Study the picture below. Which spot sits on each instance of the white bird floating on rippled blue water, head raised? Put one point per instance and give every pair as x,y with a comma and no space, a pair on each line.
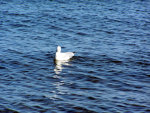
63,56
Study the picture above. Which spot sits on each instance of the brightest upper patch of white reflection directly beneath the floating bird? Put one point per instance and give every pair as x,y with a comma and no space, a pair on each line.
59,65
